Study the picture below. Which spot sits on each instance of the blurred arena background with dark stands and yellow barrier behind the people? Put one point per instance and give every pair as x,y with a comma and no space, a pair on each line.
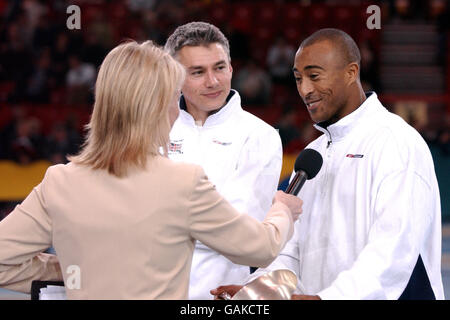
48,66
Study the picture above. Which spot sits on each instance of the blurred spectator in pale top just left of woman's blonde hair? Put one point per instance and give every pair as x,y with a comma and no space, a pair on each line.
80,81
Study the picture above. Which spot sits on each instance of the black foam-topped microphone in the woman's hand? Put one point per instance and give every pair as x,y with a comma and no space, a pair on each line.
307,165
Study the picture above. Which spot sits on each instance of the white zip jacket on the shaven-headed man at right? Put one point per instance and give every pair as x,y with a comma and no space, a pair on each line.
373,208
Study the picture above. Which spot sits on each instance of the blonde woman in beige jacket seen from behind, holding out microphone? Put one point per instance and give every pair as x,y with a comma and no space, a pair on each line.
122,214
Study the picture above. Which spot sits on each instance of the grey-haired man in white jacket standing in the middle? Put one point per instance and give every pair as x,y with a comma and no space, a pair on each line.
240,153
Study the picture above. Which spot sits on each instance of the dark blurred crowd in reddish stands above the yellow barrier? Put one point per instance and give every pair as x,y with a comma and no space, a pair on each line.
47,72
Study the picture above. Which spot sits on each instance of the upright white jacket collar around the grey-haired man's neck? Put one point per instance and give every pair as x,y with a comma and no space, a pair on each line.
233,103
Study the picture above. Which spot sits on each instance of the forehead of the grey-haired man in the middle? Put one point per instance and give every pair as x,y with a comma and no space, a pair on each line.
202,55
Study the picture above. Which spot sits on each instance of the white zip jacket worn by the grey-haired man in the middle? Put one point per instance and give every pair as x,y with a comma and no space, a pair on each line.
242,156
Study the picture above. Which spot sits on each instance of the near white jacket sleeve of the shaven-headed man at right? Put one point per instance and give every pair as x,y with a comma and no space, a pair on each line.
383,268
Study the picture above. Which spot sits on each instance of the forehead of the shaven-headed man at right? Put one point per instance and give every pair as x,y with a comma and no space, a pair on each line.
321,53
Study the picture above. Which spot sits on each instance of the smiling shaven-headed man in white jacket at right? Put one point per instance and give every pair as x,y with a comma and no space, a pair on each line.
371,227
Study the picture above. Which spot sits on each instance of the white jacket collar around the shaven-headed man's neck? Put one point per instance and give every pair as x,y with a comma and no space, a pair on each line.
341,128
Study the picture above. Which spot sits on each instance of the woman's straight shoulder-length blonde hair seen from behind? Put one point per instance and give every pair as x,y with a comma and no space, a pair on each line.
135,86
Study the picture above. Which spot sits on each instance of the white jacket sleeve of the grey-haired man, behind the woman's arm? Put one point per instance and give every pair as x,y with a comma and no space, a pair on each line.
253,184
